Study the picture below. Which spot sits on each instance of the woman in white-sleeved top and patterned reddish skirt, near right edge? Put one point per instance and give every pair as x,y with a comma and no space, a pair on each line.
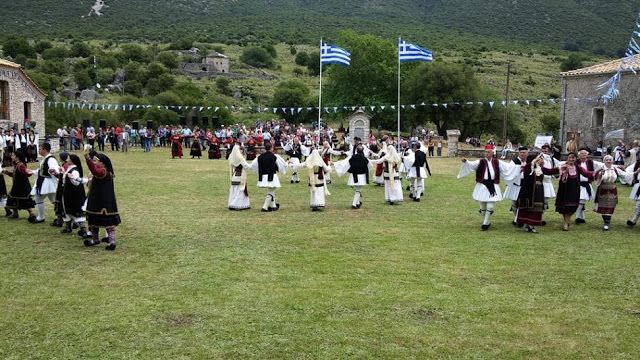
607,192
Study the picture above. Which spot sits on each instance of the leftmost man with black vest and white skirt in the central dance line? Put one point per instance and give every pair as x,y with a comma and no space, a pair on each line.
267,166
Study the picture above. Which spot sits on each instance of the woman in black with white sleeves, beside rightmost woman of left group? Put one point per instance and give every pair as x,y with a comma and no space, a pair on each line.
73,196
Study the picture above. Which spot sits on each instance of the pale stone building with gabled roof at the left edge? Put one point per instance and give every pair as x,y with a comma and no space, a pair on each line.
21,101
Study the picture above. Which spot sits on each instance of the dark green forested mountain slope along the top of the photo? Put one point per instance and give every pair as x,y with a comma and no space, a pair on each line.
594,26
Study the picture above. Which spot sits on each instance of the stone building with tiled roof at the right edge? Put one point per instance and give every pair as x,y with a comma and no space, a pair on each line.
587,118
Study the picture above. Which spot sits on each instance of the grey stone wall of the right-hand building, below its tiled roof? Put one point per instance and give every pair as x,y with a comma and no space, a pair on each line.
621,114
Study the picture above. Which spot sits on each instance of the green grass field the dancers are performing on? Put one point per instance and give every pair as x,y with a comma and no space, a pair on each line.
193,280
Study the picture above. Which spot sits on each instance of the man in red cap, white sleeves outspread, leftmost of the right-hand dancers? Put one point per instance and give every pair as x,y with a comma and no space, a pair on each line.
488,171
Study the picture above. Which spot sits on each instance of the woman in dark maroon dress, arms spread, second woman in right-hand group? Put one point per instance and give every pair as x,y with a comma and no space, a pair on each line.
568,196
